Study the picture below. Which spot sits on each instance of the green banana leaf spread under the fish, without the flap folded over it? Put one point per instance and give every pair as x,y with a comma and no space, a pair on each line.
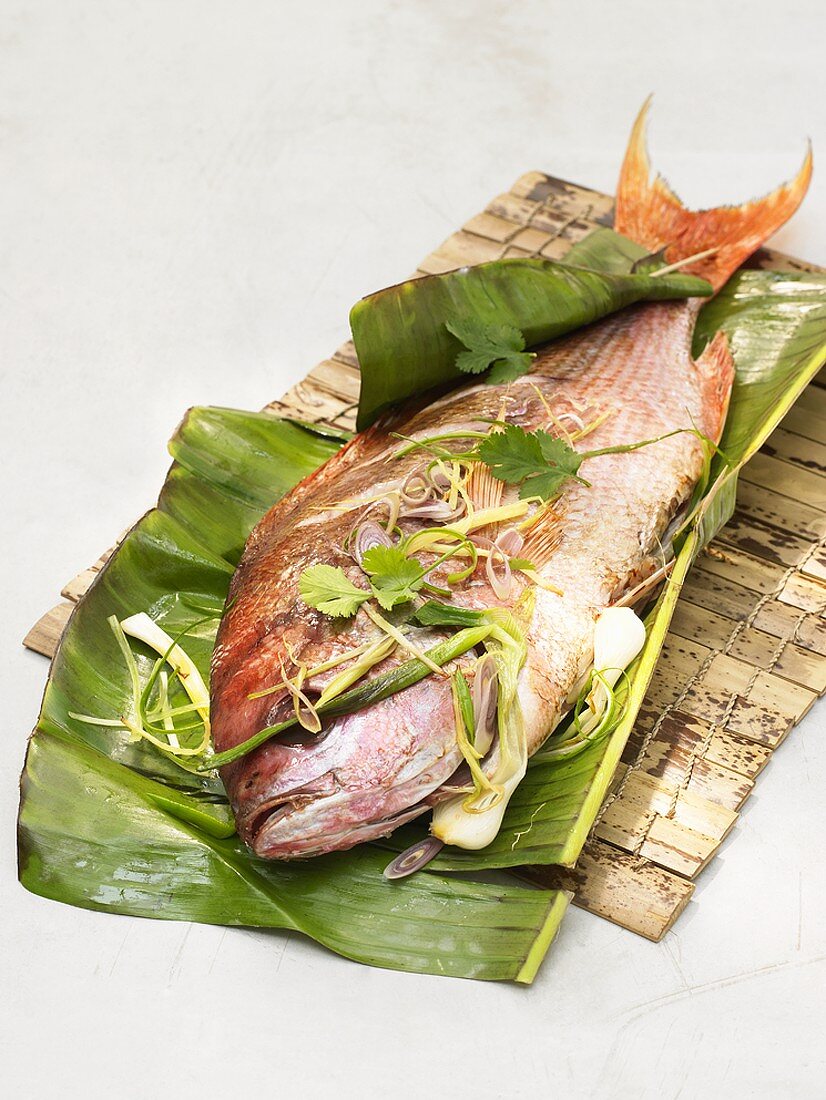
116,826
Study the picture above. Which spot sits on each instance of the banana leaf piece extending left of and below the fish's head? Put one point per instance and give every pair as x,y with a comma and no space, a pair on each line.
115,826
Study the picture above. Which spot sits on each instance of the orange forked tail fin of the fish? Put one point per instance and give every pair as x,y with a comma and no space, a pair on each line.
652,215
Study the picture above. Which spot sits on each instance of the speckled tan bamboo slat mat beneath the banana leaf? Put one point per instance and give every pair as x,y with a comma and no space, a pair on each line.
746,655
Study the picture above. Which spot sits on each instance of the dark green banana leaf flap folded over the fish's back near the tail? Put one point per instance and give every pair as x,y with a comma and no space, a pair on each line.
405,349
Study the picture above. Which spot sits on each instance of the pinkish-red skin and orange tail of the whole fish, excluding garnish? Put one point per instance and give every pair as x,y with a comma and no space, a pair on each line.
378,768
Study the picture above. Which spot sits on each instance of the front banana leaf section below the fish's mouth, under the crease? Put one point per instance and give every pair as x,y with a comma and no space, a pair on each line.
94,834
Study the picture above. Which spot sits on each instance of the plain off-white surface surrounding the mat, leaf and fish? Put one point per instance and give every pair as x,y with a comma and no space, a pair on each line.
193,194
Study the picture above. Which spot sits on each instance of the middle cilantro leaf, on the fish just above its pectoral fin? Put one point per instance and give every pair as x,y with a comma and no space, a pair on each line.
539,464
